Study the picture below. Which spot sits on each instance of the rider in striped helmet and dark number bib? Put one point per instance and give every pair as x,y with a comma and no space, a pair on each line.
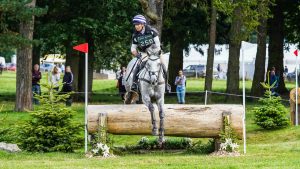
144,38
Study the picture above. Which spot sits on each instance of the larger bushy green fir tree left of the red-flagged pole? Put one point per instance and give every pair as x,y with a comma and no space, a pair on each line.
50,128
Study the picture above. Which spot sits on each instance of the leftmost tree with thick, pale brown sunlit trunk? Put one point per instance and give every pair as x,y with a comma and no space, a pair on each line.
21,13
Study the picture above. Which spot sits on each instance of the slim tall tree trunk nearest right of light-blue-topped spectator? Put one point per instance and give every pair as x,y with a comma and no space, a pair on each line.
211,51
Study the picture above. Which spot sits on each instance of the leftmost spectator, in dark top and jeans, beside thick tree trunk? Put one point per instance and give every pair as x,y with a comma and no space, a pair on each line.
36,77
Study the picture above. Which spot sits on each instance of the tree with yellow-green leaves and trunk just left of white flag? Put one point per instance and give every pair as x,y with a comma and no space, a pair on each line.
244,20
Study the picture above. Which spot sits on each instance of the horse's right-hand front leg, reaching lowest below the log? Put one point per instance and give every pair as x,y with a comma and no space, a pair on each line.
160,105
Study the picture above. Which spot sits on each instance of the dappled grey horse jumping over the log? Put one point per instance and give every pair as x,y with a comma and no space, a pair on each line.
151,85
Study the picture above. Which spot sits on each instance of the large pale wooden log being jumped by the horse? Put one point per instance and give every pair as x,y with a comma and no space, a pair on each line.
196,121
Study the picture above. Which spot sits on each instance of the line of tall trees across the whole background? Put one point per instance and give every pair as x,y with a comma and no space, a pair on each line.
36,28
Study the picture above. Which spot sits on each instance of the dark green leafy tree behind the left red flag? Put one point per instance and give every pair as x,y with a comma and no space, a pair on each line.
105,25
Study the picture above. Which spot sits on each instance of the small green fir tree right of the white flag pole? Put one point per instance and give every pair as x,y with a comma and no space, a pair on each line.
271,114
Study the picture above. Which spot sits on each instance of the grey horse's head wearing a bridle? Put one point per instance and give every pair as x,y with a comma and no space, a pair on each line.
153,67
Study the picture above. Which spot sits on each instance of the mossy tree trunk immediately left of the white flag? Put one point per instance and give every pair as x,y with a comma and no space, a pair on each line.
232,85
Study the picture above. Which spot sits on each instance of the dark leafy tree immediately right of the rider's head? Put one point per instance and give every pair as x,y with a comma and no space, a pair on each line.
185,23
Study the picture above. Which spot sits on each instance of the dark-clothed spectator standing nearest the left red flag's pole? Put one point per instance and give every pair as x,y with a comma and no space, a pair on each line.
67,86
